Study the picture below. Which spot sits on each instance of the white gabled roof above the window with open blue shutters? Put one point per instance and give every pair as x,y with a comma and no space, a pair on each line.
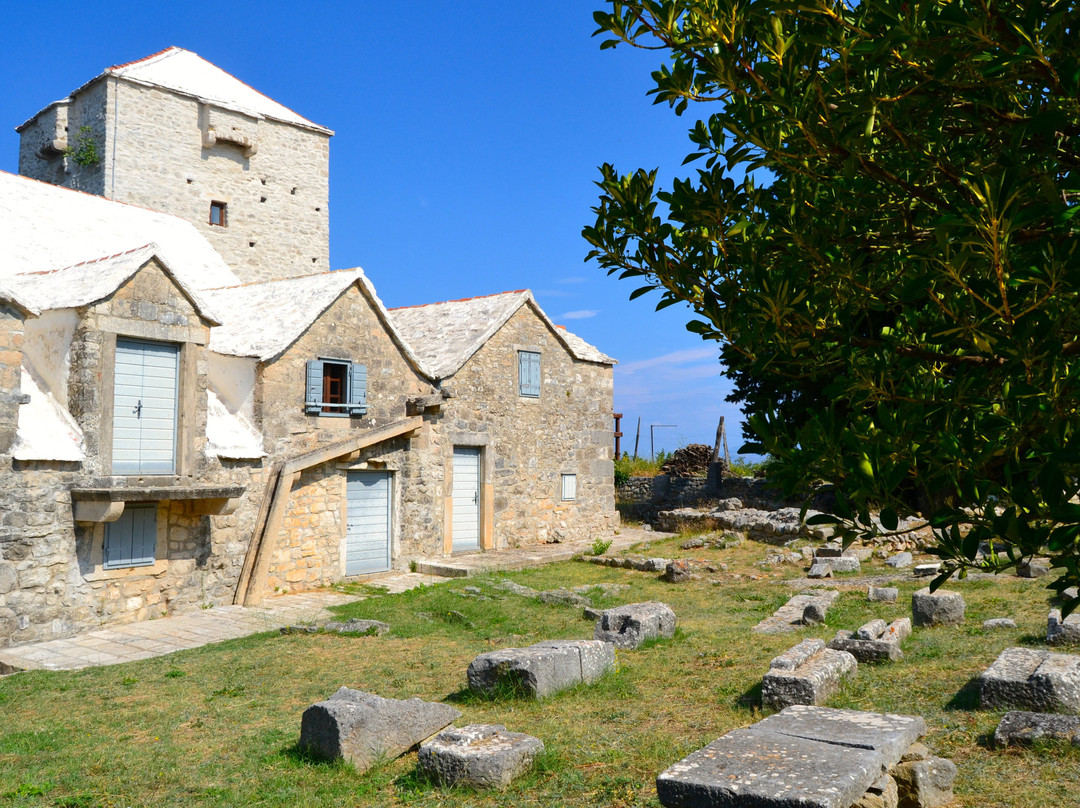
264,319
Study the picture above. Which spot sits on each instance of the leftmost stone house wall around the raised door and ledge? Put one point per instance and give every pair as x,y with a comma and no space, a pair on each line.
52,581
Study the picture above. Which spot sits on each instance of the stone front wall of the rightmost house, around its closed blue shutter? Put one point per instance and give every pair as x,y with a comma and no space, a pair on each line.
532,442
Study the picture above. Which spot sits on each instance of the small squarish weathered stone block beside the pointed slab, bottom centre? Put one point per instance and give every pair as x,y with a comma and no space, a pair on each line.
484,756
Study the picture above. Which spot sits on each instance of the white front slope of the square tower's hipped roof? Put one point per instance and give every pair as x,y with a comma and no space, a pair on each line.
188,73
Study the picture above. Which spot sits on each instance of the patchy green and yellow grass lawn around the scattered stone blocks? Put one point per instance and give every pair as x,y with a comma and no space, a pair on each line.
219,726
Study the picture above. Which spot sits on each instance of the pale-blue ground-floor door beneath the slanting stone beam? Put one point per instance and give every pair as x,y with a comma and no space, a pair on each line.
368,531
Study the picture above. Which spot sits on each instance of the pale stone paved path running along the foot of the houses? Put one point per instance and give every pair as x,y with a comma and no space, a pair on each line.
157,638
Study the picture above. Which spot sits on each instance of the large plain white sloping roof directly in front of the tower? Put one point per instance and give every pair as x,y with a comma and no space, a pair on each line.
45,227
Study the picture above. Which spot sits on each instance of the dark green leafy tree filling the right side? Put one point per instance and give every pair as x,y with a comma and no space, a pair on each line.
882,235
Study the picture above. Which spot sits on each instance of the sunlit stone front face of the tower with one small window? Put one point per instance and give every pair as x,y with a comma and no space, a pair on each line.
278,216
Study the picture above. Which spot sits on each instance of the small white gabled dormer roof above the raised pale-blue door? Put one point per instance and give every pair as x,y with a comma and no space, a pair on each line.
86,284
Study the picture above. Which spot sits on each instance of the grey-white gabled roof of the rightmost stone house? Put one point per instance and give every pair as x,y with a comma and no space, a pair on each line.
447,335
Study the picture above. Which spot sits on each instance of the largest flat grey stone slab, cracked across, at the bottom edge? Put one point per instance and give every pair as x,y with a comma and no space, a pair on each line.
803,758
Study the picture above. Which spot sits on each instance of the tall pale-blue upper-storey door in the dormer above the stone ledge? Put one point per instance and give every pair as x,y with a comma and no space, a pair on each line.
144,408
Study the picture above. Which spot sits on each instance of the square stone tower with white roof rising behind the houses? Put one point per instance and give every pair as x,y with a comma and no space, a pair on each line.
174,133
